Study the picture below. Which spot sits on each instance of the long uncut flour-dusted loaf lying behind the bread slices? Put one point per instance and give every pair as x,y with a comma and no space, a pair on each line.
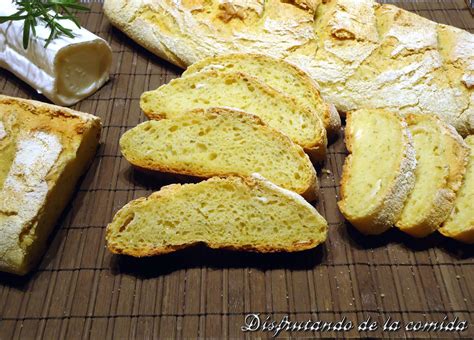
362,54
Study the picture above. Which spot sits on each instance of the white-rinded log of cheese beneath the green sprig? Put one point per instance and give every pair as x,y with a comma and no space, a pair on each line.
66,71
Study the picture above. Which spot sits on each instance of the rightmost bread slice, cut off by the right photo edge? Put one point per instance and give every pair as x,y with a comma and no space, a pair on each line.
460,224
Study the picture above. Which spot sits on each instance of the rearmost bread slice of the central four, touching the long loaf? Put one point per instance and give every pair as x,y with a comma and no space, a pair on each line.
280,75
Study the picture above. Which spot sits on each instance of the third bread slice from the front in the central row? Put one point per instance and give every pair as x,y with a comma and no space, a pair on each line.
240,91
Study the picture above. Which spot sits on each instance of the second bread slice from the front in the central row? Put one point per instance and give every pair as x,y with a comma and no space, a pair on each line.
220,142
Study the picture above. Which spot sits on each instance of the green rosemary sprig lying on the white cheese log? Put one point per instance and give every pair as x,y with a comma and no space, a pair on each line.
51,12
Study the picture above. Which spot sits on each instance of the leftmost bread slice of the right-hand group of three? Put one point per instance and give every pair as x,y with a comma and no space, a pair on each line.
378,174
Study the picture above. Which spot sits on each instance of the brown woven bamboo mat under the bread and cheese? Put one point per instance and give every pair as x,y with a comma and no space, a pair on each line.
82,291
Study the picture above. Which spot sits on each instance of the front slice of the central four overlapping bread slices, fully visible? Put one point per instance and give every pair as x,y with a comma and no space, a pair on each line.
242,214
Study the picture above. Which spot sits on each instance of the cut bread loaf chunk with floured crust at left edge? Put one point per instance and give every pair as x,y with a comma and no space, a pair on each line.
44,149
